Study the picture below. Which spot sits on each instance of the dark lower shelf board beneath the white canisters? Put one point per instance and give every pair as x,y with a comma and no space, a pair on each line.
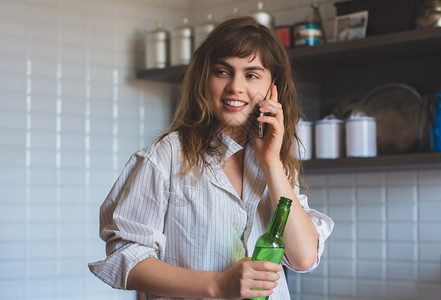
413,161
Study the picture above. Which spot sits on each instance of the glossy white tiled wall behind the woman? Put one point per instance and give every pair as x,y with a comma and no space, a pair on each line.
71,113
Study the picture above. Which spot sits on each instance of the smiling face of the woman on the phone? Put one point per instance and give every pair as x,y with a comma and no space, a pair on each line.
235,86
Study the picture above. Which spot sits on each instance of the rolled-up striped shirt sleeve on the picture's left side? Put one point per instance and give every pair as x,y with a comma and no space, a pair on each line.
132,220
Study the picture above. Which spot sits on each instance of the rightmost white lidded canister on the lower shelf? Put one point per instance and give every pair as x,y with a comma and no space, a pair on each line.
361,136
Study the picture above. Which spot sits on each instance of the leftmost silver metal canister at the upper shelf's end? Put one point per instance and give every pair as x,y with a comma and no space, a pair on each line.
157,48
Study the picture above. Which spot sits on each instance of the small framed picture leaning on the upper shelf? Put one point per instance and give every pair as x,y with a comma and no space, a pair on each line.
351,26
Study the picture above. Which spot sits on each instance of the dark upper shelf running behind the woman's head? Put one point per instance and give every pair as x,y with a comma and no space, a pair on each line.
398,45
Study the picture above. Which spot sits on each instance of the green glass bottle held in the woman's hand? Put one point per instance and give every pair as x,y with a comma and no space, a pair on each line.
270,245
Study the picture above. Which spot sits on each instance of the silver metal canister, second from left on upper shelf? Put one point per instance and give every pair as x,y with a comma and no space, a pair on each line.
181,44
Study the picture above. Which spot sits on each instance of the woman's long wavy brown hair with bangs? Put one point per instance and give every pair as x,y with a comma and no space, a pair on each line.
194,120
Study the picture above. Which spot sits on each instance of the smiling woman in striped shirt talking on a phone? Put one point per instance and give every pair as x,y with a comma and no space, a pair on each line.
185,213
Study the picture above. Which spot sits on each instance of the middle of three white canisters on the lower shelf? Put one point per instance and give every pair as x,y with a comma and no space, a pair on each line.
329,139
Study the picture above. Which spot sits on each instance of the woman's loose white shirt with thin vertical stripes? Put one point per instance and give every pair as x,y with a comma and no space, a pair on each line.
196,223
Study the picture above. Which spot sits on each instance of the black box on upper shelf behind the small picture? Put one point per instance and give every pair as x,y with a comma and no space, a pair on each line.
384,16
